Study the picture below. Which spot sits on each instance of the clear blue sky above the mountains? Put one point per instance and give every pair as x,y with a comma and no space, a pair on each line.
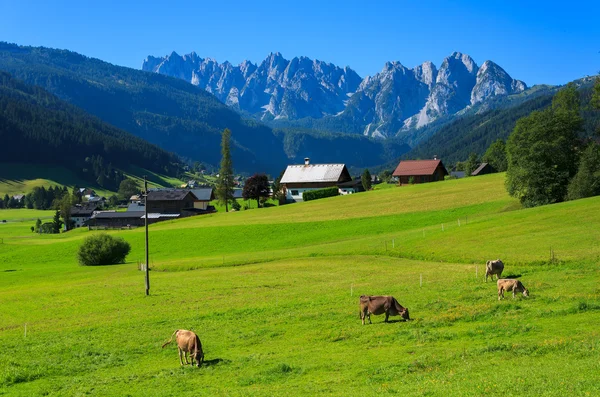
535,41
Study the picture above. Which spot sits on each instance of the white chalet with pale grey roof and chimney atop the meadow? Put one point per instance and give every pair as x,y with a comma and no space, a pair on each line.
300,178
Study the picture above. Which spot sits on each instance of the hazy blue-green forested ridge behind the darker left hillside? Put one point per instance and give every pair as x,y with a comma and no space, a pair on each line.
174,114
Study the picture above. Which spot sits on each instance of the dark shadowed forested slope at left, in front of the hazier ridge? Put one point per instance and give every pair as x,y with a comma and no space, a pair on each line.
38,128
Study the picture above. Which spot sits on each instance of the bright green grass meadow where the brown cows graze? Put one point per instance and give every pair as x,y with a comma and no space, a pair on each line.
273,294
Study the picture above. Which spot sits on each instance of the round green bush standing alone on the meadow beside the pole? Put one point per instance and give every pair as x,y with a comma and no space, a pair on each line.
103,249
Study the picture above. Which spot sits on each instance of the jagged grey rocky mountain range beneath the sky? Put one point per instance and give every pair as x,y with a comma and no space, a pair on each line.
391,103
